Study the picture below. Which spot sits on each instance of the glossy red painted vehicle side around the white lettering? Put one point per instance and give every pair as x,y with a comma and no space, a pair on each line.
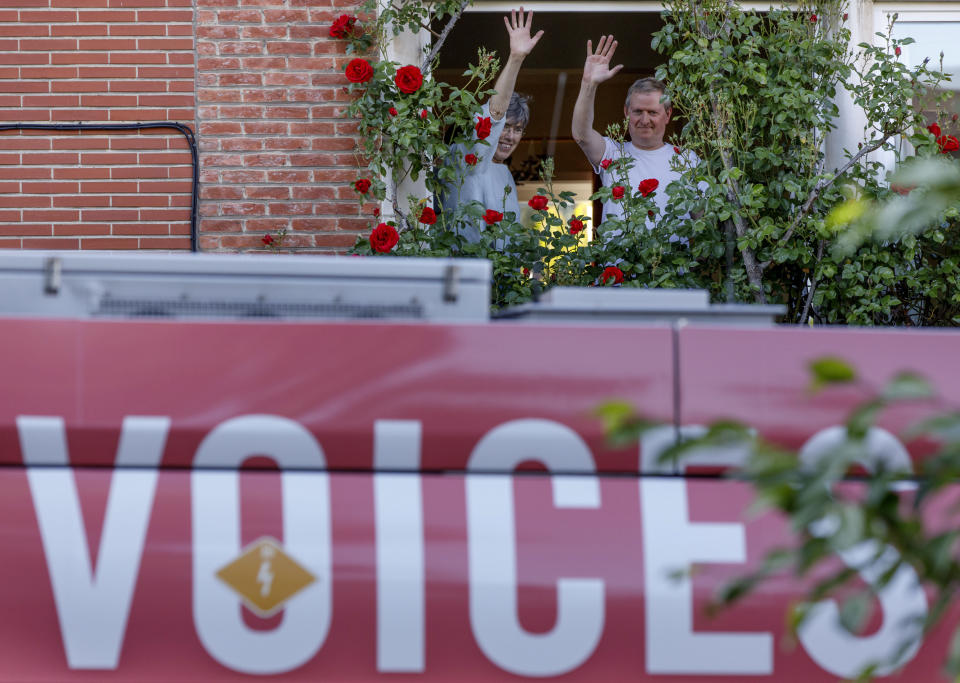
460,383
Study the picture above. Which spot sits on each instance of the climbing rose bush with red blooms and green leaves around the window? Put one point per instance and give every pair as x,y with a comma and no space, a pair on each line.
748,222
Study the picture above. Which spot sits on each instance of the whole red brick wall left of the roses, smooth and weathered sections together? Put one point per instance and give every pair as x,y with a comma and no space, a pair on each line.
259,80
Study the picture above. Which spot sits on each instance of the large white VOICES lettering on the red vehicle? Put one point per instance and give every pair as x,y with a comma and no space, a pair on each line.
93,608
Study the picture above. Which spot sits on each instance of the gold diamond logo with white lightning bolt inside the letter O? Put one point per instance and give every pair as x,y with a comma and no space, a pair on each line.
265,577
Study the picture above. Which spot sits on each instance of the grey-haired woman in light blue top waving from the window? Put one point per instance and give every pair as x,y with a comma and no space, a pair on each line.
488,179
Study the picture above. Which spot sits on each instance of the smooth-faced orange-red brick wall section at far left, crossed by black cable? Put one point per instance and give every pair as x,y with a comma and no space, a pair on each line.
95,61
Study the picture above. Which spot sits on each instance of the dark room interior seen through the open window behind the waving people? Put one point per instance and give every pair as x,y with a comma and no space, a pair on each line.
551,75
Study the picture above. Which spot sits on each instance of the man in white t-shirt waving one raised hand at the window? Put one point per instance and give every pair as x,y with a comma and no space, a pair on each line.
647,112
